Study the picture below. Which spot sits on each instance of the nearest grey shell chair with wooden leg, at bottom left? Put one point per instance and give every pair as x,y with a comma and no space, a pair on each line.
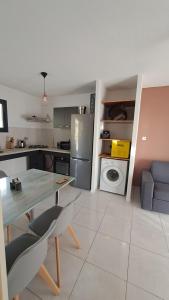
24,259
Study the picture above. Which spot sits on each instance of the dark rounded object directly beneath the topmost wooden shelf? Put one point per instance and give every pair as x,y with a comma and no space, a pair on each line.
117,112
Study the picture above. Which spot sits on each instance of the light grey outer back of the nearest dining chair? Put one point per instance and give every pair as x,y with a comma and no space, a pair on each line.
28,264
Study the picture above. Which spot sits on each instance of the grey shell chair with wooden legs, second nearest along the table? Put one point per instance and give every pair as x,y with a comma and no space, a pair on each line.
63,217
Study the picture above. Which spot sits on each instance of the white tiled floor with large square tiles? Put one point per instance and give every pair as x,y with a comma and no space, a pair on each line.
124,251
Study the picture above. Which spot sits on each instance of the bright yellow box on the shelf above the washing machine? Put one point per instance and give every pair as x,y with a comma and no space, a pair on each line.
120,148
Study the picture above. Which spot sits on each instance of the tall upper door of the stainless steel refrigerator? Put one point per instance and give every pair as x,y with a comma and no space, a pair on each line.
82,136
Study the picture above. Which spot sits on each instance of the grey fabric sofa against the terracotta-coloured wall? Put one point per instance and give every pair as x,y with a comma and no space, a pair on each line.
155,187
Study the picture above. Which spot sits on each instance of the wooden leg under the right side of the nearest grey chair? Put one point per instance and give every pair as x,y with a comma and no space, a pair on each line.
44,274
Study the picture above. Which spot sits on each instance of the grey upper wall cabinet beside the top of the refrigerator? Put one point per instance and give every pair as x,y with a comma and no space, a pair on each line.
62,116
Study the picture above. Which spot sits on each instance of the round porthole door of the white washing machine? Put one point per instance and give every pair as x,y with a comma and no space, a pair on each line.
112,176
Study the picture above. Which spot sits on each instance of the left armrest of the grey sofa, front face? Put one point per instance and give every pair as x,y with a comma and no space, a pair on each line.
147,189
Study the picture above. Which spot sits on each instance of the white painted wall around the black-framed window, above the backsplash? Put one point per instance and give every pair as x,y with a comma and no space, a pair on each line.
19,104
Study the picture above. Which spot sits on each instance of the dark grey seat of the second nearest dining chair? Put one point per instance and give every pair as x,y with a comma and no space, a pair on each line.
42,223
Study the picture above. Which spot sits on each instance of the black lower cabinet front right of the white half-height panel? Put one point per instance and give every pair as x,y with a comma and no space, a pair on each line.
36,160
